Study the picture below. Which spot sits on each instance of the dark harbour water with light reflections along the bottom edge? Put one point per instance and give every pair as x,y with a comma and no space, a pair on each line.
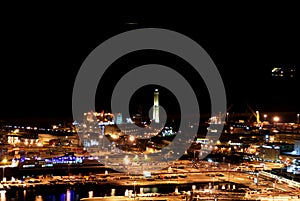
75,193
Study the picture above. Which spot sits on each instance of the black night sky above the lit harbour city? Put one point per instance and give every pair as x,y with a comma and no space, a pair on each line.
43,49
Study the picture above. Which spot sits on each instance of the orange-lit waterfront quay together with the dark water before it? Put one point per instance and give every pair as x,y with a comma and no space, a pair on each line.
224,181
